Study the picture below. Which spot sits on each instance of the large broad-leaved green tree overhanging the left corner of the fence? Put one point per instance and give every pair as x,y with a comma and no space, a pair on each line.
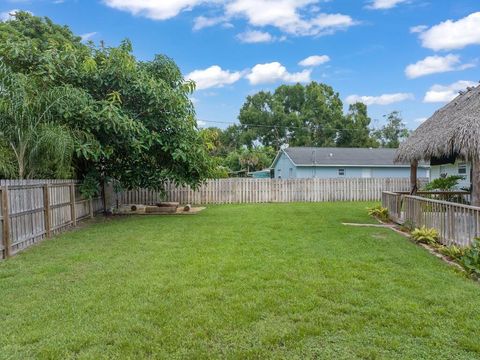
130,120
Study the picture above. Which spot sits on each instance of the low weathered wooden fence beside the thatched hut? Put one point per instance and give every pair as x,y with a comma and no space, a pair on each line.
457,224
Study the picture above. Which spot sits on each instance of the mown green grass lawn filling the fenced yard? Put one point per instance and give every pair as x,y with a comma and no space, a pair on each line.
246,281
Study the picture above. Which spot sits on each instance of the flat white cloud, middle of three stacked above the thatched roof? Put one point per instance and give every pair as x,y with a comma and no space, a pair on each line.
436,64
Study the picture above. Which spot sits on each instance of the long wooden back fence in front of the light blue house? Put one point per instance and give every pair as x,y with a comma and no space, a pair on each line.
237,190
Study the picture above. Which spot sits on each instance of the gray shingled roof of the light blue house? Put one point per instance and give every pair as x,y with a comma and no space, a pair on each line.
328,156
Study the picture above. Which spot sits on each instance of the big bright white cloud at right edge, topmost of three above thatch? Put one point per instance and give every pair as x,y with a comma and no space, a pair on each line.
451,34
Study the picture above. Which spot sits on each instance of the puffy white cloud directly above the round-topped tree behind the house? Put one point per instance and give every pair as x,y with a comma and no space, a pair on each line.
273,72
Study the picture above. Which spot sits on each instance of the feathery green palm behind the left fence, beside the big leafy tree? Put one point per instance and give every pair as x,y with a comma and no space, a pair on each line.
33,145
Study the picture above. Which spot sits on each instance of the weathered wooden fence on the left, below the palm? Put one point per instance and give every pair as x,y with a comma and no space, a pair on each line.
33,210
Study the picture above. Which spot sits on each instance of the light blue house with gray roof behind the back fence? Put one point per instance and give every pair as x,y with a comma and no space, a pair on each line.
310,162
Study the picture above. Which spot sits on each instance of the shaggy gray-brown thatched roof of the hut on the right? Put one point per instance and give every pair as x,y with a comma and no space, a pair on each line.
452,130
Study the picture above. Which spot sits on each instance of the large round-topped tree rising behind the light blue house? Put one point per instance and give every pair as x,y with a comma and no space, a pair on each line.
304,115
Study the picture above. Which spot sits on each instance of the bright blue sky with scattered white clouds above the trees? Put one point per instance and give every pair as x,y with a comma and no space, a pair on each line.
406,55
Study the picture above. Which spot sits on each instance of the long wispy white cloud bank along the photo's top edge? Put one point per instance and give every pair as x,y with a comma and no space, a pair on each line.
286,15
